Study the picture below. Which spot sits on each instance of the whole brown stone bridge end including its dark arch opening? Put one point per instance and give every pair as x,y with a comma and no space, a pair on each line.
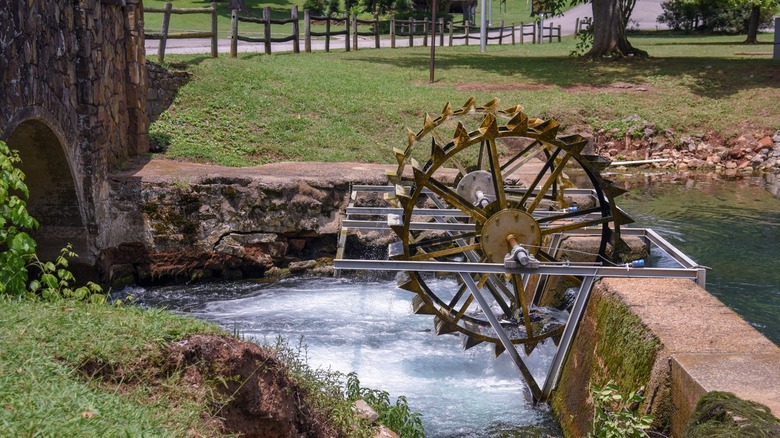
73,98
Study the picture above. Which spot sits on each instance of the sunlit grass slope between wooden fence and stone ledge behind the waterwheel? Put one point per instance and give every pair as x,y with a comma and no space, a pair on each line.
355,106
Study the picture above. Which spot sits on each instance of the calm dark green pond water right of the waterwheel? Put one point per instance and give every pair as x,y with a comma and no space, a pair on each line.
731,224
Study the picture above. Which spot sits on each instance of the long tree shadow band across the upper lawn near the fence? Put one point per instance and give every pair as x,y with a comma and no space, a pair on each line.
704,76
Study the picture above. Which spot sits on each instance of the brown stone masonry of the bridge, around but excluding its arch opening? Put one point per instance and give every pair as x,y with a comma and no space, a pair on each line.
78,66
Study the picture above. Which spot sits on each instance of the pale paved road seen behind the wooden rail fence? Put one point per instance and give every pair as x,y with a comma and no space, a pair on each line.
645,14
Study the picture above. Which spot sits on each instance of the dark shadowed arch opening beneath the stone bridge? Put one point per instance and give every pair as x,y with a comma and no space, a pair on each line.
56,195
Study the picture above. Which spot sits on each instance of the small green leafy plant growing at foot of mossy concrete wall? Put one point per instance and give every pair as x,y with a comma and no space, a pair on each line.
615,415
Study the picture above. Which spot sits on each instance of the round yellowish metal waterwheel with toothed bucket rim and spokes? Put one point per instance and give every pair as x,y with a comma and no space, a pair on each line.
500,191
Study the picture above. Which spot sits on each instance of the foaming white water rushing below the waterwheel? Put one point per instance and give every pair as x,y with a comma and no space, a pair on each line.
369,328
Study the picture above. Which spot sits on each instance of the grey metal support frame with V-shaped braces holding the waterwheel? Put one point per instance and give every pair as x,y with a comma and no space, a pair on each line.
444,220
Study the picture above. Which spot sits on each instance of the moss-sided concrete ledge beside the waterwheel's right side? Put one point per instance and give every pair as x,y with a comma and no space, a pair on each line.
694,342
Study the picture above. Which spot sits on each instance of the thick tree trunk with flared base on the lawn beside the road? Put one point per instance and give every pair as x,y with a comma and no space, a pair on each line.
609,32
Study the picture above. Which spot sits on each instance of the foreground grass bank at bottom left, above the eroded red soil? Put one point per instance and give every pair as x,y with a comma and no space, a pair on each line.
43,393
